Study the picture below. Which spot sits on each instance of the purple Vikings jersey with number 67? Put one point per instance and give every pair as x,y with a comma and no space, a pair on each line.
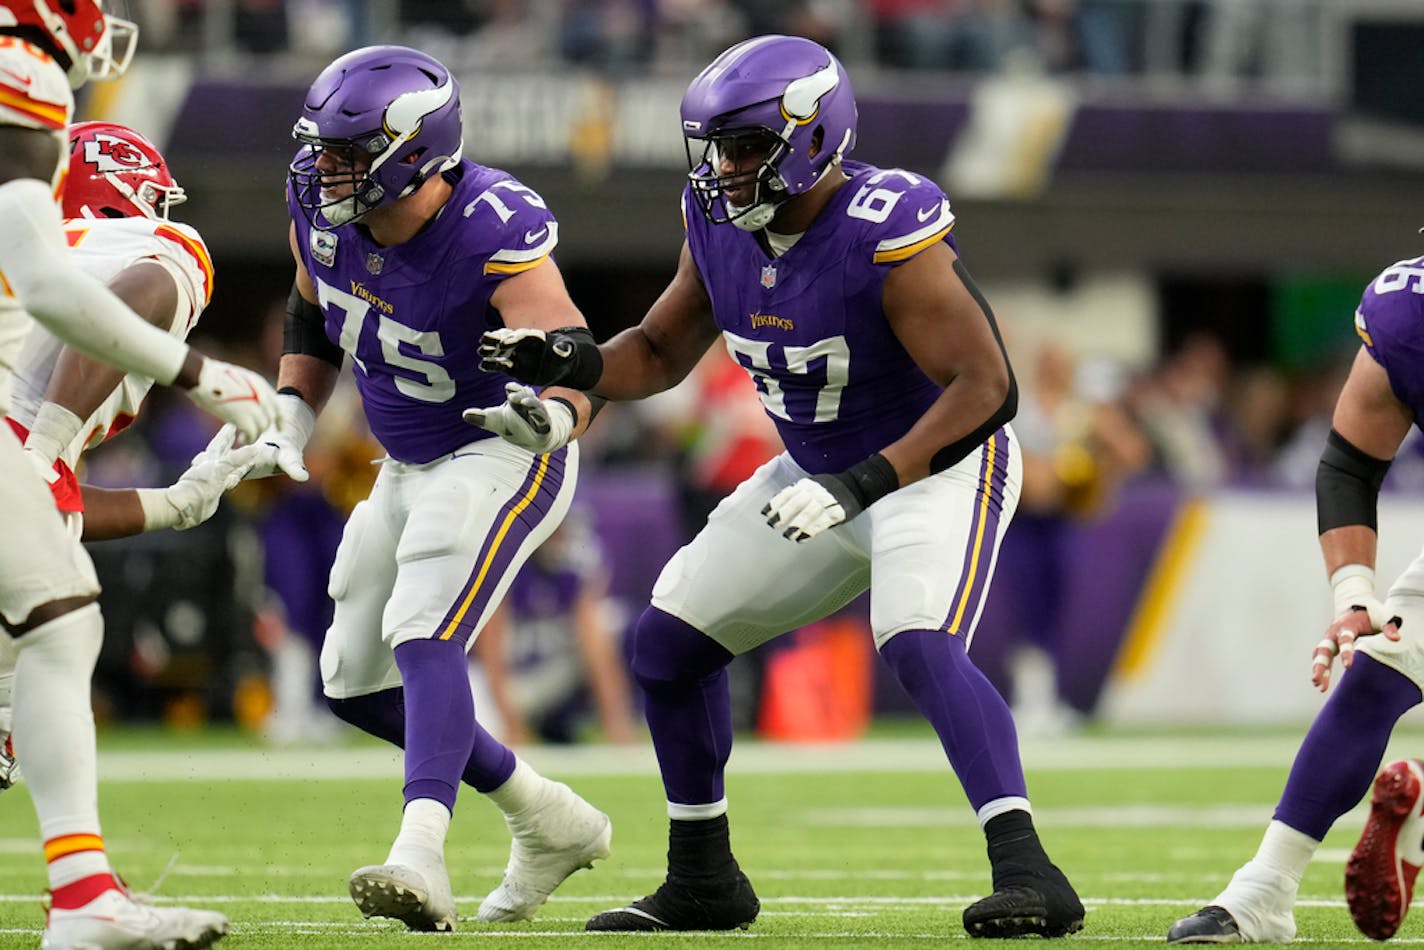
810,325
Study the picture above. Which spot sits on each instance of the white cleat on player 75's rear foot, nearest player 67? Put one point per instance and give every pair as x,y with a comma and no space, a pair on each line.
553,838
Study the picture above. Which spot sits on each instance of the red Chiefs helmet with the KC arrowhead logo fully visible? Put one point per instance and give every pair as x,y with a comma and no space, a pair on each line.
116,173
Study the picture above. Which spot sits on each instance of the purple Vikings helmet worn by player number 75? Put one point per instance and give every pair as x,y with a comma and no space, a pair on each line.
391,112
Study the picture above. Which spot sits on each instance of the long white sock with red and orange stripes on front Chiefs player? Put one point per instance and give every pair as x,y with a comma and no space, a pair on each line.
55,740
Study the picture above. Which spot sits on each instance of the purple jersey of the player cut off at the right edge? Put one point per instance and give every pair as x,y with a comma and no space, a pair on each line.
1391,321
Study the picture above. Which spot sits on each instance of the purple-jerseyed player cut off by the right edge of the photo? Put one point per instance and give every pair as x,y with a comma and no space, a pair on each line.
1376,409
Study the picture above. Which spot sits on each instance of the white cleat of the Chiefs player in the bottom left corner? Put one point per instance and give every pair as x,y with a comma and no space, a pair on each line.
116,922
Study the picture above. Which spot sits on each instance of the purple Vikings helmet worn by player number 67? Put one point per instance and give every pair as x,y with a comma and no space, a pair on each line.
784,89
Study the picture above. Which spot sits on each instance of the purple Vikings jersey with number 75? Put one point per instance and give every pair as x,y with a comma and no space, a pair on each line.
411,317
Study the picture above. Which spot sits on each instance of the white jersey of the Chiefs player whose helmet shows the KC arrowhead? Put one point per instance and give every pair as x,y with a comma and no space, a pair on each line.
105,247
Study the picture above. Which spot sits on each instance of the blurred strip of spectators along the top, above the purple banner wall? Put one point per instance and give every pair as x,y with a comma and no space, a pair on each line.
1271,41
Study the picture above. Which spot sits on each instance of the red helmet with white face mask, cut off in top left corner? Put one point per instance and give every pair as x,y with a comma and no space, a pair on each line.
88,42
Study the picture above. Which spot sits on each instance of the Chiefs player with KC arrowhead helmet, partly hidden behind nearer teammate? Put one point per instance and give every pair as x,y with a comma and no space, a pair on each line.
116,203
